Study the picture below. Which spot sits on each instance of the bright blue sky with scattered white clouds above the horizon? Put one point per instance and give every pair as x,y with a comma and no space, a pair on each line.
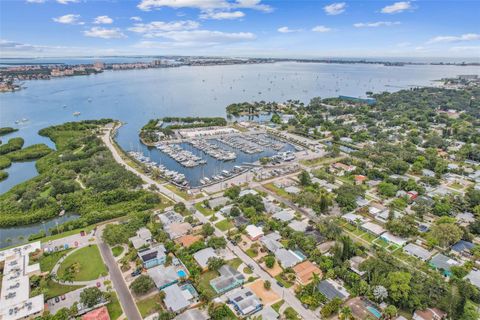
240,28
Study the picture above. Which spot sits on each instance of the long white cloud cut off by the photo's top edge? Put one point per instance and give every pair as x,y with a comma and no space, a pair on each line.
203,5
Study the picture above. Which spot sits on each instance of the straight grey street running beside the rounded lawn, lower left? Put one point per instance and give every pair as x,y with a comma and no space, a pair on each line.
126,300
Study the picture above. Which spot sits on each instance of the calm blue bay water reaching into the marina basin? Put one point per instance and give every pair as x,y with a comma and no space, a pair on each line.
136,96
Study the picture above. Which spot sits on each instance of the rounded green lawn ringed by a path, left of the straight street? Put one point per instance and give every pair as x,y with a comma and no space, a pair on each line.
90,264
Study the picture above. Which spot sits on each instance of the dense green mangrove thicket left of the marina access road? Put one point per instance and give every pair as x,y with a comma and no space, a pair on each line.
110,190
